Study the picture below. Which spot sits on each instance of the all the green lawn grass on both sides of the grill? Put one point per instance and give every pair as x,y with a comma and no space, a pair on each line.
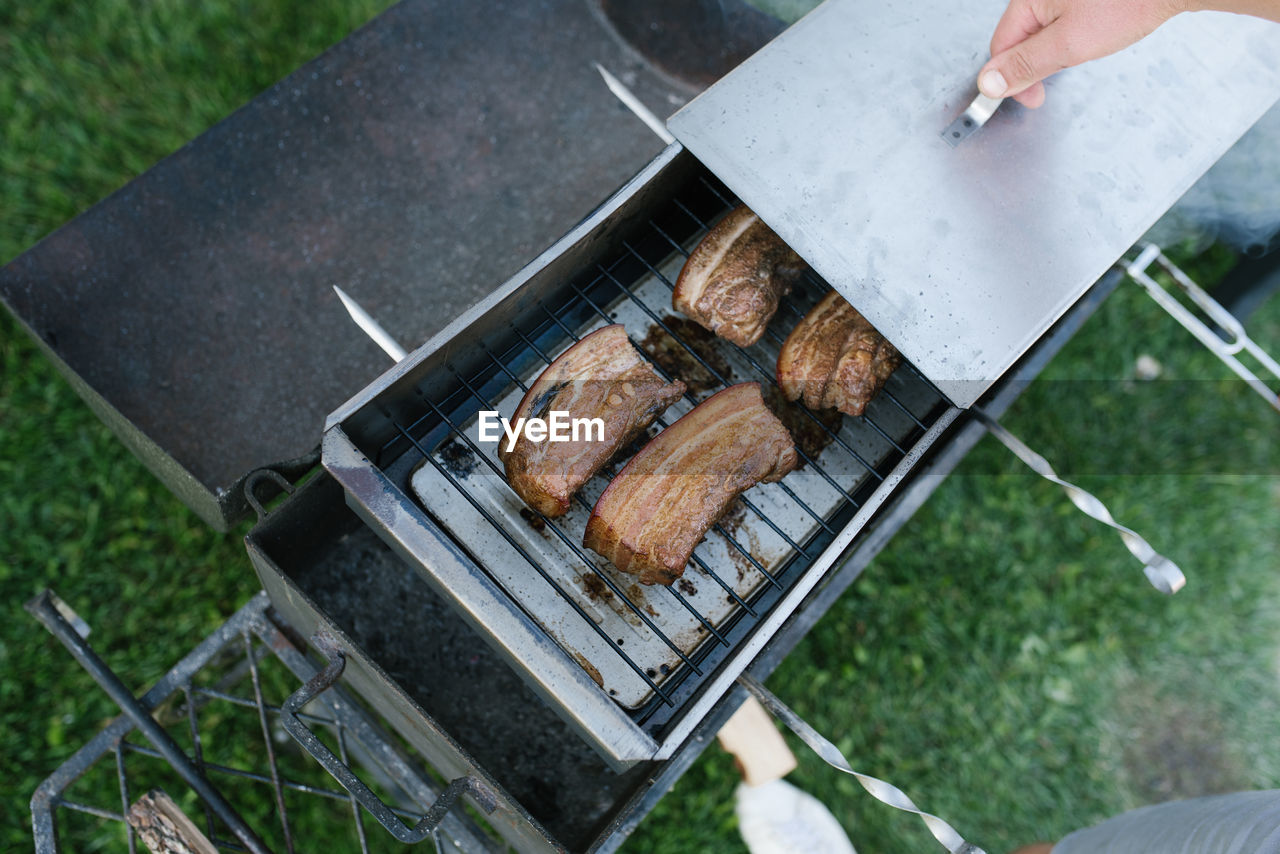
1004,661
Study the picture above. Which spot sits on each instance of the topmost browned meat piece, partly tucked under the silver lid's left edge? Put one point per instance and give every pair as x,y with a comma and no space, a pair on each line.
734,280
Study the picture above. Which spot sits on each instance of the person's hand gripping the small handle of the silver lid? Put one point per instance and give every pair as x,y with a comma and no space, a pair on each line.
1039,38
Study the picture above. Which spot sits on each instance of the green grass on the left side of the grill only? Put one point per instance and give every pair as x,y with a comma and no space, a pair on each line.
90,97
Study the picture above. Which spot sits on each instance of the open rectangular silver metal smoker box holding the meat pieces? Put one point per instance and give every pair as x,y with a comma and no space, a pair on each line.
632,669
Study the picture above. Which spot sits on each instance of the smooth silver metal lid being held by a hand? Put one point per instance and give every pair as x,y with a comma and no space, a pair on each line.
964,257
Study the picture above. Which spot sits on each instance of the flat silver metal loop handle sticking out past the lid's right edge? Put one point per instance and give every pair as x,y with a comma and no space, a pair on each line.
1222,348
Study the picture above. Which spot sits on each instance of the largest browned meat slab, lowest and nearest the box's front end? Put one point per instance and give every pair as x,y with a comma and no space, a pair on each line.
662,504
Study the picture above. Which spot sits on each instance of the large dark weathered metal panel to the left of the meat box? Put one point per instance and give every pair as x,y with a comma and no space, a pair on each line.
418,166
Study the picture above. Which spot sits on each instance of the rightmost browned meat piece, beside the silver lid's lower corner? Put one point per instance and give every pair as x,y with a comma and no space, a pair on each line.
835,359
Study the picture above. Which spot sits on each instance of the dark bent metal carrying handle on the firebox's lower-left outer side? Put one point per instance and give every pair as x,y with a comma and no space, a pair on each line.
346,778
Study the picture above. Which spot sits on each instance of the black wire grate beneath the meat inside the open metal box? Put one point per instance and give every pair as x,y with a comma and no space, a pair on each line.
849,462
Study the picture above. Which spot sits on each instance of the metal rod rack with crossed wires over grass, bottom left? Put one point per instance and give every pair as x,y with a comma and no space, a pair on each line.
222,704
